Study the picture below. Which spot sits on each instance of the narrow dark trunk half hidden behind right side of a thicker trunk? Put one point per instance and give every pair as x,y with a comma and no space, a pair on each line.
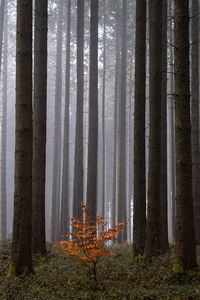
164,202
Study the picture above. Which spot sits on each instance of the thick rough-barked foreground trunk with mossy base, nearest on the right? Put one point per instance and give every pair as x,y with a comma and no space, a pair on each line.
185,235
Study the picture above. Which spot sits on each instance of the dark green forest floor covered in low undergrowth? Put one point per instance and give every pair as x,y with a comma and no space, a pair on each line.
119,277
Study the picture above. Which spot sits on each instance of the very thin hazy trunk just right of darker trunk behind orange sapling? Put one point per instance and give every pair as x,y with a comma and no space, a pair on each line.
103,118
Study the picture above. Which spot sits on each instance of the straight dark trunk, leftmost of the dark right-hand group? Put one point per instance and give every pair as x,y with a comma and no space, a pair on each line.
139,130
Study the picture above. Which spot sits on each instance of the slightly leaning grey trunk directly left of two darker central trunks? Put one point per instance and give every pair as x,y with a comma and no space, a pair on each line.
65,198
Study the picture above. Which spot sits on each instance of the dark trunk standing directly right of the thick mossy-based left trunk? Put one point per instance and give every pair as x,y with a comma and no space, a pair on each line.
39,127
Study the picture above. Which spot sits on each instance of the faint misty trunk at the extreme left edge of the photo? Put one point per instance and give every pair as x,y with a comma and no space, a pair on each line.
3,232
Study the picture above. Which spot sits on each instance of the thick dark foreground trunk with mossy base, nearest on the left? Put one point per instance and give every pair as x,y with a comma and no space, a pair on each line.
21,257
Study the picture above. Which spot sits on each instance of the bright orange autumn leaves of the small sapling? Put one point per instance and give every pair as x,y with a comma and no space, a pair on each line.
88,239
